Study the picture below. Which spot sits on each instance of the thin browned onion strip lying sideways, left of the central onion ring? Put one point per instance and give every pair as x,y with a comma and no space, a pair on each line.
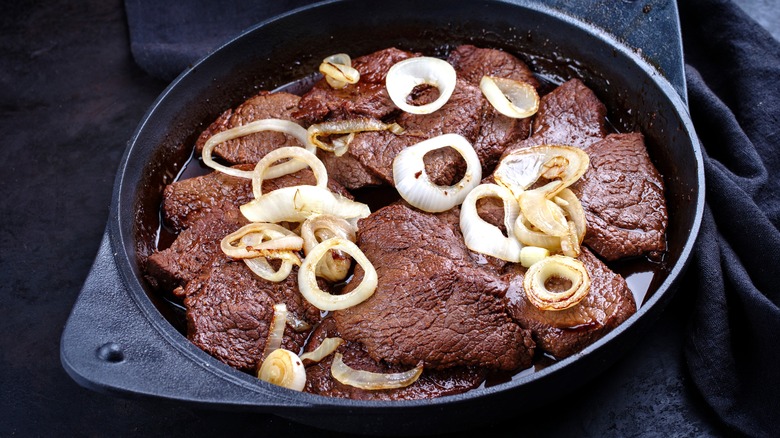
345,128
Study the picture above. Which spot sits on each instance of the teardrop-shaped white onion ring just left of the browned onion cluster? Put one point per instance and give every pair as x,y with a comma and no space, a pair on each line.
483,237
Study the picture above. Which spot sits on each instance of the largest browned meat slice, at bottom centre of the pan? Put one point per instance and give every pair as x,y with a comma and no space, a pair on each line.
433,303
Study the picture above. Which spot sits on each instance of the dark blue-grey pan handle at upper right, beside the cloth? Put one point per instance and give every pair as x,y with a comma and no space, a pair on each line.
651,27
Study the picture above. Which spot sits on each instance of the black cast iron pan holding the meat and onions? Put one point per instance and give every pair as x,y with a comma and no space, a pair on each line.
118,338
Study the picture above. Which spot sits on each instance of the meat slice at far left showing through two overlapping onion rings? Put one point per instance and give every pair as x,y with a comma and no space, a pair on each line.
186,200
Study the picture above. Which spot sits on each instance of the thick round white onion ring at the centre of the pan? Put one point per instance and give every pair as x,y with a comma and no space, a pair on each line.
414,185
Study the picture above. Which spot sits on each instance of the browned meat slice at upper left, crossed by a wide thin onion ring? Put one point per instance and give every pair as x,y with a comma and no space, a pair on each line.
251,148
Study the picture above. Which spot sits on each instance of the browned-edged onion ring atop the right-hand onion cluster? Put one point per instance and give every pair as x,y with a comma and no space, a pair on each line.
520,169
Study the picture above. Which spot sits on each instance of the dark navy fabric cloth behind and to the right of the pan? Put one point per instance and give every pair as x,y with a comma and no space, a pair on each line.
733,77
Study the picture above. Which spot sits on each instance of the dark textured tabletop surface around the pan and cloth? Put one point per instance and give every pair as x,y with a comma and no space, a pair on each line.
71,96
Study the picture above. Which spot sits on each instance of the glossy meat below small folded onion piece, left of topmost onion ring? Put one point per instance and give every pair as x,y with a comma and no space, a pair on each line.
367,98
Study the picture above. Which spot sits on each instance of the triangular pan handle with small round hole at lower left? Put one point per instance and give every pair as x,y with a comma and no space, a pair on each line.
109,345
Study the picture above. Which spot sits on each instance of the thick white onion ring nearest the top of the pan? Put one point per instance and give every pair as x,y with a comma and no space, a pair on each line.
405,75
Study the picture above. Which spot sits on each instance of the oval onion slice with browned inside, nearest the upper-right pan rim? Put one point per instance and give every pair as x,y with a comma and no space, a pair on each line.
512,98
